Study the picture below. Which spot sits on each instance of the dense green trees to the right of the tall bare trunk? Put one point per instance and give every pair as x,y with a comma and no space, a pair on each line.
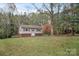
68,20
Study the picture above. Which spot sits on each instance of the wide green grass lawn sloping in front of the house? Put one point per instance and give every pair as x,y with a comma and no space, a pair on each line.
44,46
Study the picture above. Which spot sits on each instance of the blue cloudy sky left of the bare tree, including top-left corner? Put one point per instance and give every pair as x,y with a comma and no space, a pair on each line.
23,7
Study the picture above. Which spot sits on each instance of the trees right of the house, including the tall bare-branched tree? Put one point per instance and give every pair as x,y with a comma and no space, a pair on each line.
64,17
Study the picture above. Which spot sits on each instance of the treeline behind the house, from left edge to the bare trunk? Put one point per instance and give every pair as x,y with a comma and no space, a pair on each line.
10,22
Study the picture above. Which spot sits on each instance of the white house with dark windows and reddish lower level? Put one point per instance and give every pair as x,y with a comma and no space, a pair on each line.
30,30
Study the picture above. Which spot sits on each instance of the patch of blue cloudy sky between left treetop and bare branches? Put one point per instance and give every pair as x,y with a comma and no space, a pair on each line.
28,7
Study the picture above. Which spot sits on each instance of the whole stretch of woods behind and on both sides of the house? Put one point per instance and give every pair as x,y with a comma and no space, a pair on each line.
64,18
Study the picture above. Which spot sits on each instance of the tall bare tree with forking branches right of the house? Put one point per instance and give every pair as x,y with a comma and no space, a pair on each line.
50,10
